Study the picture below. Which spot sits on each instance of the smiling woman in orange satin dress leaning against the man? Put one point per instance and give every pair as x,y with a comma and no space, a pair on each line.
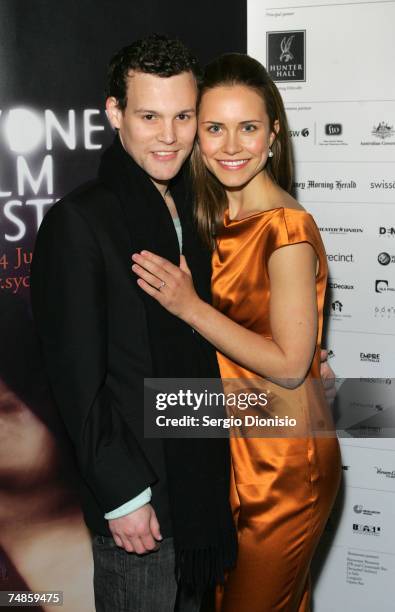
268,284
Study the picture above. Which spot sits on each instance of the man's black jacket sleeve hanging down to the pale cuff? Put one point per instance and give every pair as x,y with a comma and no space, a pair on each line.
68,291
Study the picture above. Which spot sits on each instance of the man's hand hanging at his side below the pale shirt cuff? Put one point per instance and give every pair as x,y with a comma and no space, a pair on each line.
138,531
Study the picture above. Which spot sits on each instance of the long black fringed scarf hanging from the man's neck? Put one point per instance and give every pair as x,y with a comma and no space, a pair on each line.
197,469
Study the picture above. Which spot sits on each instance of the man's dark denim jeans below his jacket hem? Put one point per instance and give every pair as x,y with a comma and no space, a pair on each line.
127,582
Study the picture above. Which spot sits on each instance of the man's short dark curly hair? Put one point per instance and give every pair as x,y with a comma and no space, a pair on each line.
156,54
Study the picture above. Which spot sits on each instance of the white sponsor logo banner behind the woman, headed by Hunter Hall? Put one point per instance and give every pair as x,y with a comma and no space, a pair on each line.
333,64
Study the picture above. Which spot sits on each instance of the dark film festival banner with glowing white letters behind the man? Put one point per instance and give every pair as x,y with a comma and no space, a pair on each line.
53,128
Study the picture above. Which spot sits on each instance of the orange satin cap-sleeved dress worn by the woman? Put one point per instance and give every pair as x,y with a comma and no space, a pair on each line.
282,488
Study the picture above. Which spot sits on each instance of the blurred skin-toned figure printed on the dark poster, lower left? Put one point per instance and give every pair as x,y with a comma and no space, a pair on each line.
44,543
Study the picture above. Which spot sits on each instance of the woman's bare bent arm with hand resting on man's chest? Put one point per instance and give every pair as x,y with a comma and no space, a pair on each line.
293,312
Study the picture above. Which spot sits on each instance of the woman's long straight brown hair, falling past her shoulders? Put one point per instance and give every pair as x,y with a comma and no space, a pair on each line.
210,196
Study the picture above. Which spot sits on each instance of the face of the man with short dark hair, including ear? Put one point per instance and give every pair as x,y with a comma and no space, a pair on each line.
158,126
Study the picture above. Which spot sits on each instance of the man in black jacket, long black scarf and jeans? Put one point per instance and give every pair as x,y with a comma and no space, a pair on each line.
102,336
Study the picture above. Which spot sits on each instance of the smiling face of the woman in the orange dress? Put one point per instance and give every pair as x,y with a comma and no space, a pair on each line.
234,134
